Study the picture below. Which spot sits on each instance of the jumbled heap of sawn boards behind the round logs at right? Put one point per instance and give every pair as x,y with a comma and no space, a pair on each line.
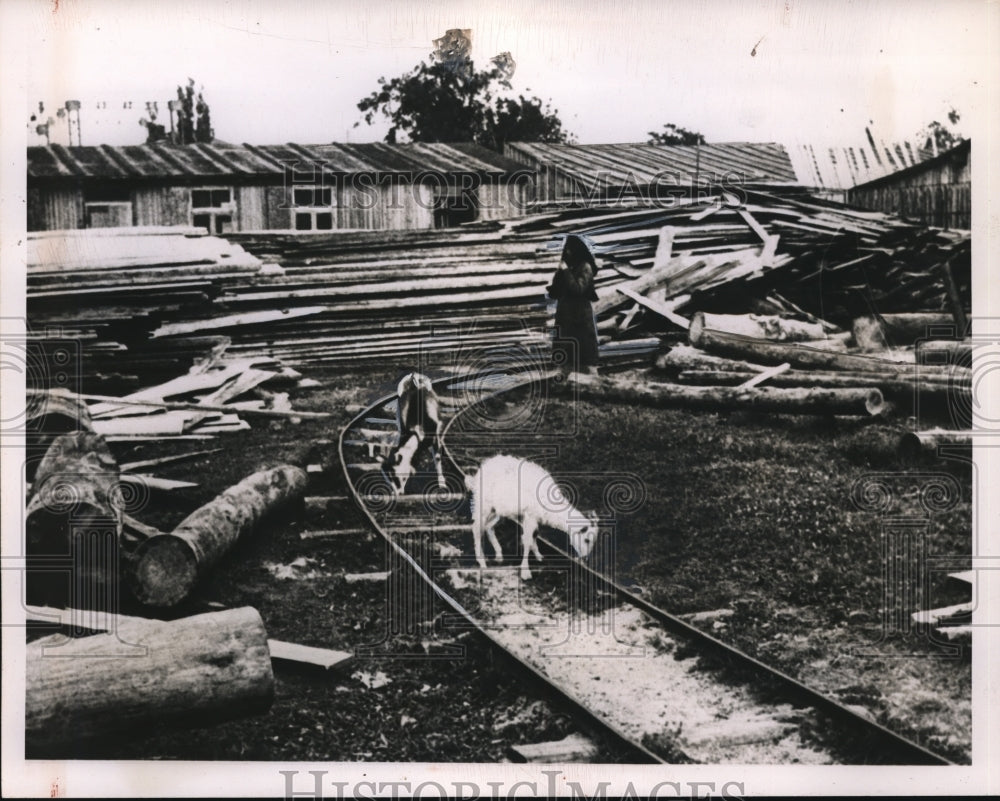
772,254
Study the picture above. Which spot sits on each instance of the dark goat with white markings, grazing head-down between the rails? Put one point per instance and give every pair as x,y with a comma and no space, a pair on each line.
418,418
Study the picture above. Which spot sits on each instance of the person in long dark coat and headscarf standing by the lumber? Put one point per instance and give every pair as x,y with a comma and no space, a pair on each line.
572,287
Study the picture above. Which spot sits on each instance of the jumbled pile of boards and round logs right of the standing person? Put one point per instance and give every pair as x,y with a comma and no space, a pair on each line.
789,304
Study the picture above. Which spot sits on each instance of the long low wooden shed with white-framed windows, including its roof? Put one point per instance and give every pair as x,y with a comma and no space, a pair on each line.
272,187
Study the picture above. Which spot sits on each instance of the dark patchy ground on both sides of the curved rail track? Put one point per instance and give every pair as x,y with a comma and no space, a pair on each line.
785,523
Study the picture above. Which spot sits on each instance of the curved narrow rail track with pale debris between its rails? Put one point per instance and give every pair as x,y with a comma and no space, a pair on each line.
650,686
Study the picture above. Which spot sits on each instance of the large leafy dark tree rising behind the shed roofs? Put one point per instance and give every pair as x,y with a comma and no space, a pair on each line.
449,100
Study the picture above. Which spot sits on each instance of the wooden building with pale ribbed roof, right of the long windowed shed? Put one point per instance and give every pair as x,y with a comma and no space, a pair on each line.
586,173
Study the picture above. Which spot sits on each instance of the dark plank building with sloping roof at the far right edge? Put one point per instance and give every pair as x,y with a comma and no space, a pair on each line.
935,192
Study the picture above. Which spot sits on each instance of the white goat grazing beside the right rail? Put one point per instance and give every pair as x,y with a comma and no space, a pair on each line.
505,486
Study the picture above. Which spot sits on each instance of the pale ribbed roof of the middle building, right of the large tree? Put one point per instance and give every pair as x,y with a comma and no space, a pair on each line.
621,164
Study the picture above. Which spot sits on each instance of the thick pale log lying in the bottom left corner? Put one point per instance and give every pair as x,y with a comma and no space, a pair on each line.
192,671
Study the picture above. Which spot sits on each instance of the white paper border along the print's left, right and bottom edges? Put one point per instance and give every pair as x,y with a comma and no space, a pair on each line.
18,30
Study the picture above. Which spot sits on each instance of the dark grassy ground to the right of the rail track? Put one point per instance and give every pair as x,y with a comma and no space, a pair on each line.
794,526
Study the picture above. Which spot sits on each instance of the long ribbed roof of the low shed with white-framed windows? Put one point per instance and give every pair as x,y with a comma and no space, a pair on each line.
217,160
